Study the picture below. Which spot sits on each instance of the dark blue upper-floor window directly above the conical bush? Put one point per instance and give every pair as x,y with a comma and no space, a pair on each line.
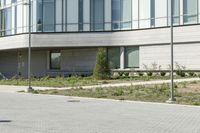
97,15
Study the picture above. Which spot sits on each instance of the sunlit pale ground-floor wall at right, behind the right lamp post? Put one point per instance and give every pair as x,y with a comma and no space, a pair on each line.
187,55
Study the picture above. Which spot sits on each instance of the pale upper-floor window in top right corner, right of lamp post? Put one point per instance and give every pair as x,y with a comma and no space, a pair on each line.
190,11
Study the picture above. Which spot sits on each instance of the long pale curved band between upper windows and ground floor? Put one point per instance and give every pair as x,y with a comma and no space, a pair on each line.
94,39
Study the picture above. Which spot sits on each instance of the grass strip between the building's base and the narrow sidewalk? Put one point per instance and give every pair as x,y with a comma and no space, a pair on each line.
76,81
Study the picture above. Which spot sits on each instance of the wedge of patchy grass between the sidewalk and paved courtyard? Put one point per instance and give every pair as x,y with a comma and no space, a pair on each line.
147,93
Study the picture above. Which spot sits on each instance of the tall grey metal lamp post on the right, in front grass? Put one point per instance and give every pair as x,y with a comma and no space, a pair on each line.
172,98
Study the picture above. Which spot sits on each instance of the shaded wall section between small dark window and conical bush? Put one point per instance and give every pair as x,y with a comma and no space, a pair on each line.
78,59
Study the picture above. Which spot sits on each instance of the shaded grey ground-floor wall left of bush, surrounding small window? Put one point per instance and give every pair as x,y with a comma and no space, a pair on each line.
72,60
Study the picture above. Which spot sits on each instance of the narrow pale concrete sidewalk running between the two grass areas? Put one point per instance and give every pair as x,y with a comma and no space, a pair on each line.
8,88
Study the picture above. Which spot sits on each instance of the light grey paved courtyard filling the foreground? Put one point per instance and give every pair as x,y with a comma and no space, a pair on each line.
27,113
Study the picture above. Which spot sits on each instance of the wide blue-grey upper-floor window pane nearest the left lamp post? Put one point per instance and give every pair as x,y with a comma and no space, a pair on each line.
48,15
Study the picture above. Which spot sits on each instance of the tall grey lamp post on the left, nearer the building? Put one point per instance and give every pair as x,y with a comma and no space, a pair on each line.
29,89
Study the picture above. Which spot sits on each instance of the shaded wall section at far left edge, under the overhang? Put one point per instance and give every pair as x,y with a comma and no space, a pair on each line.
8,63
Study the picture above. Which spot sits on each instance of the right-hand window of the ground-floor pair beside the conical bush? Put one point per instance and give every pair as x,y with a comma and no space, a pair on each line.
132,57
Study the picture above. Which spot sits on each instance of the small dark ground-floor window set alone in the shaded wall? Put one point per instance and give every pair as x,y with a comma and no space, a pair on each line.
55,58
